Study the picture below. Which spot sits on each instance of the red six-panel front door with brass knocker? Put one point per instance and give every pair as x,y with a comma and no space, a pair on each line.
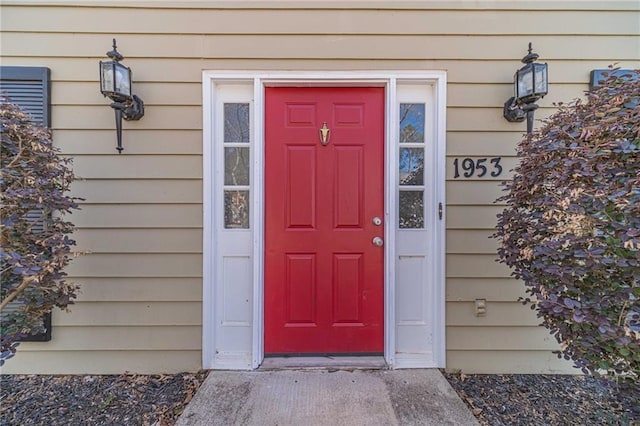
324,277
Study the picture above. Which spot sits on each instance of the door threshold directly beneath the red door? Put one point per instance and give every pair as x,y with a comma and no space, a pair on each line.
325,362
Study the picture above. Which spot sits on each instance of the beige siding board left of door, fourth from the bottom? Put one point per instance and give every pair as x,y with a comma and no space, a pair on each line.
156,289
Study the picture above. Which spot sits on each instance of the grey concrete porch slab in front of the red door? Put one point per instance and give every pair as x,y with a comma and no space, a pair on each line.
326,397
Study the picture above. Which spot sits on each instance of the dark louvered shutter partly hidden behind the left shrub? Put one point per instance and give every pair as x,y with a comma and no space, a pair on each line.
28,87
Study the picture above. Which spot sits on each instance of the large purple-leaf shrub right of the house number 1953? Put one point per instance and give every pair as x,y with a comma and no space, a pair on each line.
571,227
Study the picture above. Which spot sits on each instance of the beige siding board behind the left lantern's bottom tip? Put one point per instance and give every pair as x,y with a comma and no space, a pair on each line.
139,141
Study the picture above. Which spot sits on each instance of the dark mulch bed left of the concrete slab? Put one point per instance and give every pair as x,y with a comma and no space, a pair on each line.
128,399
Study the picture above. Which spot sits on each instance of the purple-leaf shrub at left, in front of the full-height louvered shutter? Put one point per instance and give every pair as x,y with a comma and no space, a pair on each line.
35,239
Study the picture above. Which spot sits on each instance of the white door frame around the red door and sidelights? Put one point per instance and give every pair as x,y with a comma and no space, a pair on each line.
261,79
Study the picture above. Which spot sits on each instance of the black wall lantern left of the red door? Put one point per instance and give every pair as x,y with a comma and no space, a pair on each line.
115,83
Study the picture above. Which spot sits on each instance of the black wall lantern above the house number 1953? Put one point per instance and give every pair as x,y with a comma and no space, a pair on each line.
530,83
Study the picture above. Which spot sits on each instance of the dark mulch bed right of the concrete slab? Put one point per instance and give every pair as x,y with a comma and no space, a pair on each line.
519,399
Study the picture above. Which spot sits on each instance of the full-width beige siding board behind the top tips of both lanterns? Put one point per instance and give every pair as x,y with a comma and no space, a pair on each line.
324,46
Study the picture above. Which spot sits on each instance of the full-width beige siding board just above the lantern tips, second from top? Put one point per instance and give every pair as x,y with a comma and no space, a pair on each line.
109,21
